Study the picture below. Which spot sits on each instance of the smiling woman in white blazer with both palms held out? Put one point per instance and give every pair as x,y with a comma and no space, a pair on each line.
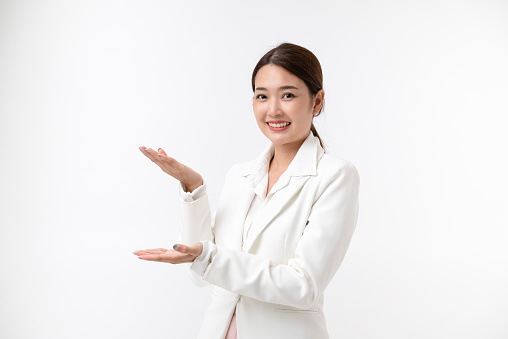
284,220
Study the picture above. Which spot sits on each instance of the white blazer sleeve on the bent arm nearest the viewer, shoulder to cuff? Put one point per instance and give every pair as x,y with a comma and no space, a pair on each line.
318,255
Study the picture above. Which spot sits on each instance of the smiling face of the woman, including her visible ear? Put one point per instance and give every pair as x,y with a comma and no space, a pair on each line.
283,106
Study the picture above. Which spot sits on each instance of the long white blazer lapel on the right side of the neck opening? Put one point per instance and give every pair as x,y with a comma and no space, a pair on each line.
273,208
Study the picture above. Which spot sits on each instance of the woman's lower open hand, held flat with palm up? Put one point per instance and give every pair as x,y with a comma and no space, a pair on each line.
178,255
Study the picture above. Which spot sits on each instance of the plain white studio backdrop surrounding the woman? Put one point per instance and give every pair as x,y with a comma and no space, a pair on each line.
416,93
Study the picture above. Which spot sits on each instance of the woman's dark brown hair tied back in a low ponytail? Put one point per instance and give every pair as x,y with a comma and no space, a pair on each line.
300,62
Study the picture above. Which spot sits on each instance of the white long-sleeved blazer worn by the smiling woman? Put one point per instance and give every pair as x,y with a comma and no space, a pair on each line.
277,277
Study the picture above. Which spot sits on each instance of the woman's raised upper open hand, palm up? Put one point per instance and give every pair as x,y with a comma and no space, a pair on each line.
186,175
